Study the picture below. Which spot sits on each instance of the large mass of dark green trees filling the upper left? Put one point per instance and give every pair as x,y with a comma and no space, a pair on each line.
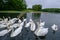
12,5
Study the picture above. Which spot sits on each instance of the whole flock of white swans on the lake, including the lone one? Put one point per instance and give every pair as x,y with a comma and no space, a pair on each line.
18,23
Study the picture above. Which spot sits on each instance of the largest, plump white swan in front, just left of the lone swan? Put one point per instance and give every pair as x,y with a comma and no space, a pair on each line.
41,31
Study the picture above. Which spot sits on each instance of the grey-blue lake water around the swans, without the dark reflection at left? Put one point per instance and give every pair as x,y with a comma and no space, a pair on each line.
49,18
